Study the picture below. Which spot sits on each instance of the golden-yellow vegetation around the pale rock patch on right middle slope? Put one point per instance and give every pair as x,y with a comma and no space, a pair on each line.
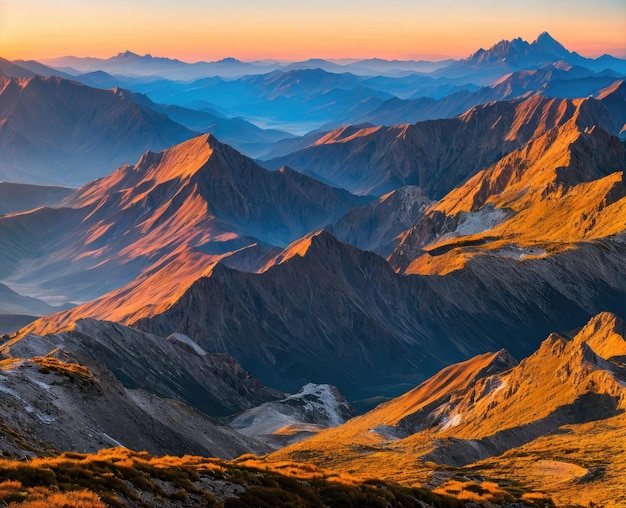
547,214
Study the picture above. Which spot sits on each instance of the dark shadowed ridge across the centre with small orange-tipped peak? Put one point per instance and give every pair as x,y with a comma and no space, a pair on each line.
331,312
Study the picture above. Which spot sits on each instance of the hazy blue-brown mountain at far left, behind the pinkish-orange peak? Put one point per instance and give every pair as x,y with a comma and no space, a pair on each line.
59,131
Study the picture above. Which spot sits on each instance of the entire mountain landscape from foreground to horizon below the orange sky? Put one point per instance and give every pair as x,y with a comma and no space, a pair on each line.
350,316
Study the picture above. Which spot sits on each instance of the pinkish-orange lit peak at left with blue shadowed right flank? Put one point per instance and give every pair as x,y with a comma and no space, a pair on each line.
168,218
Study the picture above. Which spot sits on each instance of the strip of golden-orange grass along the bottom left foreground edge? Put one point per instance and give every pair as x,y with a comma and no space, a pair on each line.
119,477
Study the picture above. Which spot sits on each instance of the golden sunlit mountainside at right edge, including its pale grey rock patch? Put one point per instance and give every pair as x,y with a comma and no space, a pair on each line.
563,187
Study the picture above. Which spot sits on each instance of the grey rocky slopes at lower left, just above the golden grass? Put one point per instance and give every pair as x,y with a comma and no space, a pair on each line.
102,385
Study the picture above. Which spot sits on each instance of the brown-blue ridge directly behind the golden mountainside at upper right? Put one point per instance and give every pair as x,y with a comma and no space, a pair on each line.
438,155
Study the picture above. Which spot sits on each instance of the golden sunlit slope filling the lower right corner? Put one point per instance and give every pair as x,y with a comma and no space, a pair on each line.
479,411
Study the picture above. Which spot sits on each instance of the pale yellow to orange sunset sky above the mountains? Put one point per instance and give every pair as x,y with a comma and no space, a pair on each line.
194,30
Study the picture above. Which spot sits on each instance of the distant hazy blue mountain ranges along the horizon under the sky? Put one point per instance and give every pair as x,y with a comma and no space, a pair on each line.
312,95
